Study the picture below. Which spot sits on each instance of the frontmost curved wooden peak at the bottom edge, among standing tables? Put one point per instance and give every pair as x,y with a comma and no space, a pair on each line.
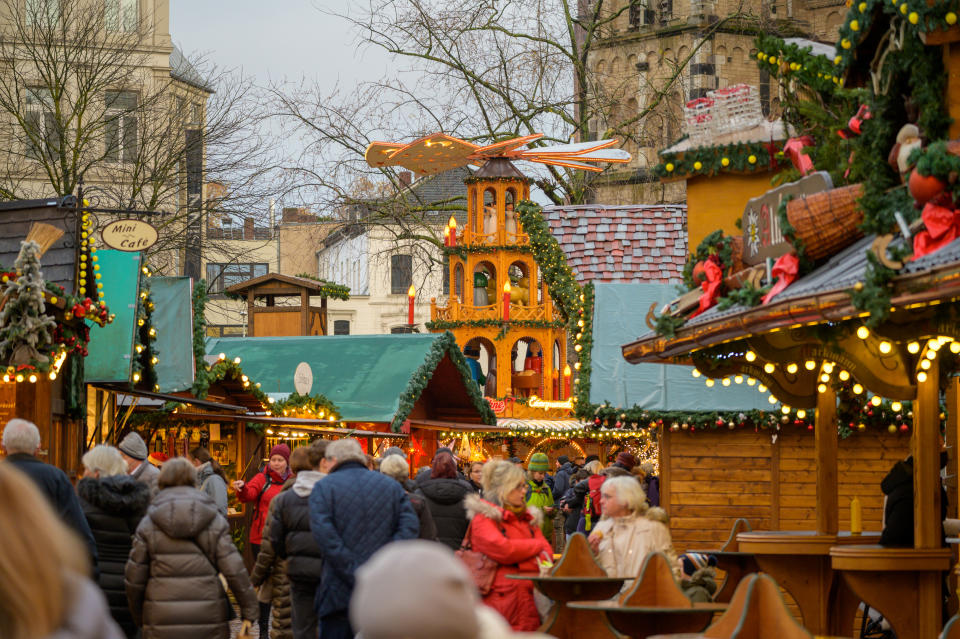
757,611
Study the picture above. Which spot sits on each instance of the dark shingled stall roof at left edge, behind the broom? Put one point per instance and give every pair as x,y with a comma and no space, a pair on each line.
16,218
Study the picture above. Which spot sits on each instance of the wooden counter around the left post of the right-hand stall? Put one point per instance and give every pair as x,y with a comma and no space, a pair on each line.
800,562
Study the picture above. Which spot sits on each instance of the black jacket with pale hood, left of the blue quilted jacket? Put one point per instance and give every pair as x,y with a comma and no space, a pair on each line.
290,529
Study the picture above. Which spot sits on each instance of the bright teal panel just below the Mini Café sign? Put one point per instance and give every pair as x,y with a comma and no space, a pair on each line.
110,346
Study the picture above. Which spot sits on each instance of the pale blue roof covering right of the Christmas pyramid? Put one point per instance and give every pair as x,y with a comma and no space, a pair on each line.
618,318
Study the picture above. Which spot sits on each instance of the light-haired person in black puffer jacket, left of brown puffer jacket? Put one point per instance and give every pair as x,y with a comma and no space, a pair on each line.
113,504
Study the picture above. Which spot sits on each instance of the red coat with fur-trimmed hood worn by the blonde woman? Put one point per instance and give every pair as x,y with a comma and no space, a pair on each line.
515,542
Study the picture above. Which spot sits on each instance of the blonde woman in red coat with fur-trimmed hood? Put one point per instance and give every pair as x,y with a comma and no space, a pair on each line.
505,530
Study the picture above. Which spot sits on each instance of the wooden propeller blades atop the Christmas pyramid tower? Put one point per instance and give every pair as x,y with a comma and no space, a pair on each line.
440,152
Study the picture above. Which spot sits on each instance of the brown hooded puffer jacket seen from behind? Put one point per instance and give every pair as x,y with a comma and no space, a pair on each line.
171,577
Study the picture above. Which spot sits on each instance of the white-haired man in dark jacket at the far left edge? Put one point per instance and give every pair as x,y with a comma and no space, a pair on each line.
21,442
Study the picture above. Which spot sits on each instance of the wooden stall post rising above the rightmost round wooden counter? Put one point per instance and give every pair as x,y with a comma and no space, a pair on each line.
925,445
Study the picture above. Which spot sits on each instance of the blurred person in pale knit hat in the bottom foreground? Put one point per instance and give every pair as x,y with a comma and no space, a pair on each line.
405,578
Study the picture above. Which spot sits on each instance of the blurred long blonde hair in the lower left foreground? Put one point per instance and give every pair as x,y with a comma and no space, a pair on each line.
36,553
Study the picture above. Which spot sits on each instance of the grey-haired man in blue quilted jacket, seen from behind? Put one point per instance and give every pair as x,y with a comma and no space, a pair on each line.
353,513
